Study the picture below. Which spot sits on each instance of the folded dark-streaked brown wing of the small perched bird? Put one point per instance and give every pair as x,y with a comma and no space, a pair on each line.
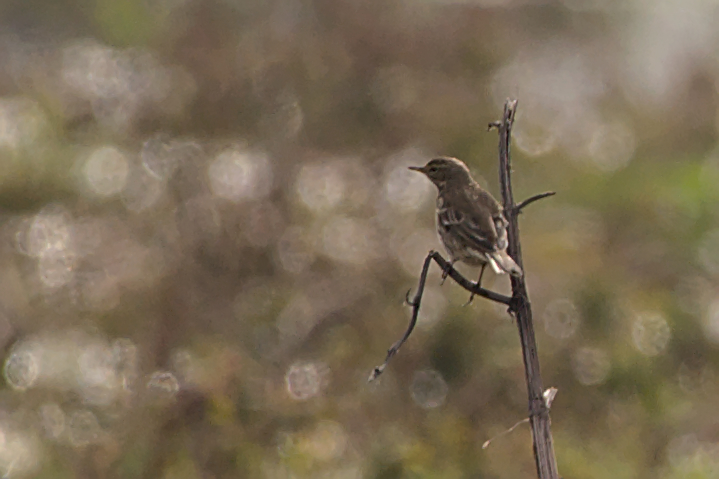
468,227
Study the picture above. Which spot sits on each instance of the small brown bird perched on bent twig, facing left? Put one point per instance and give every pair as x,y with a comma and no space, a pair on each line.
470,222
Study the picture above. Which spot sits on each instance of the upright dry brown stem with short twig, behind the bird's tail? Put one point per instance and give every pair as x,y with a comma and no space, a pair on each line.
538,411
